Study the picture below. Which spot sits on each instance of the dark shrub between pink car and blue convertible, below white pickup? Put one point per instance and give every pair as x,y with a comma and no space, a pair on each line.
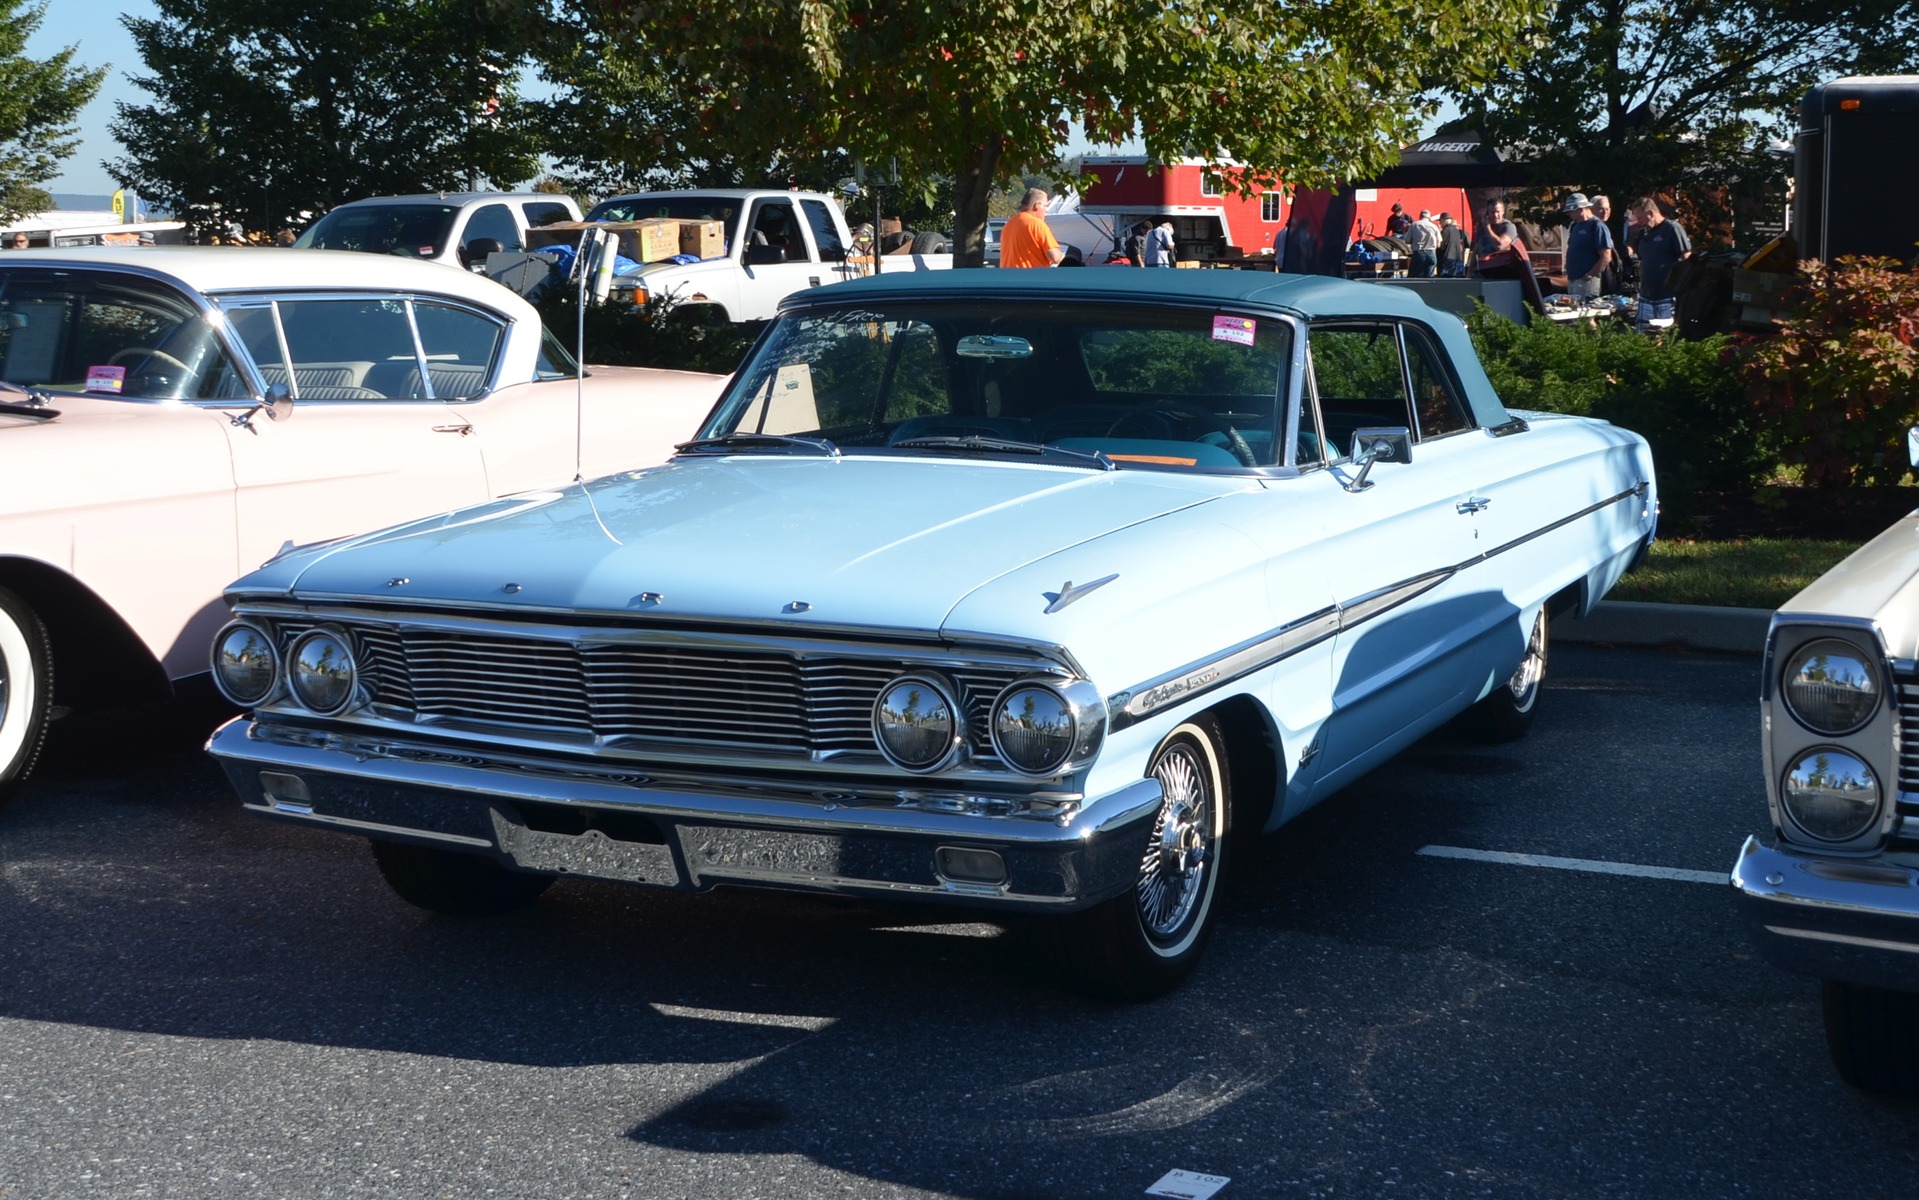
652,335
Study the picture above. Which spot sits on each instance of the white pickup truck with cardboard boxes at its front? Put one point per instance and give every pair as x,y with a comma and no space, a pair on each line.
776,245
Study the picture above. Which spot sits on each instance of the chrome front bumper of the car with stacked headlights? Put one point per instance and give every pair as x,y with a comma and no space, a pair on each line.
1836,919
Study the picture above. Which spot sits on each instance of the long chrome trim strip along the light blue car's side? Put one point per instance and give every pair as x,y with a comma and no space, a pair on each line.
1239,661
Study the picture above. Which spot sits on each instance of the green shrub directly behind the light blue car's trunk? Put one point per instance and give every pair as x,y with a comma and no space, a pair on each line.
1684,398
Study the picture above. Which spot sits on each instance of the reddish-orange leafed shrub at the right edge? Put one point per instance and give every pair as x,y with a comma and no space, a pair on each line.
1841,379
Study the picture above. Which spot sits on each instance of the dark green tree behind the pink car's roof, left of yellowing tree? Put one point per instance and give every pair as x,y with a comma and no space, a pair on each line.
270,110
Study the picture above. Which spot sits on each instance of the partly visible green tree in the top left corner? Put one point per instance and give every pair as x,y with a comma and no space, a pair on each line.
41,103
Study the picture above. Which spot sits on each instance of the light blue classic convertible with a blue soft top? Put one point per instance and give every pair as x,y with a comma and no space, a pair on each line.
1018,590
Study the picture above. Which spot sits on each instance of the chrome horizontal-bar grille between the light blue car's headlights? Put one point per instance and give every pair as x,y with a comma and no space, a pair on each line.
723,698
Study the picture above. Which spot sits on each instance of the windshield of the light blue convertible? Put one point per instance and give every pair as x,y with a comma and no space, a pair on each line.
1143,387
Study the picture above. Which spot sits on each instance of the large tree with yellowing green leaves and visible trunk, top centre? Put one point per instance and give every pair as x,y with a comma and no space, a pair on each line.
980,91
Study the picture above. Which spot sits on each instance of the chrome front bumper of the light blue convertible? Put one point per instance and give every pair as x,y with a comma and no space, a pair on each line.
694,832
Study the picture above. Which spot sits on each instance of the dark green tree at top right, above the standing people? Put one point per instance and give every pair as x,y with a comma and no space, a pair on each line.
1634,97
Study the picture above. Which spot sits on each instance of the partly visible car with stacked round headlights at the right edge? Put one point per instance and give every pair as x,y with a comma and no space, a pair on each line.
1836,890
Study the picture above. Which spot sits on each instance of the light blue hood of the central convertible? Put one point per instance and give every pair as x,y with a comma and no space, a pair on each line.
876,542
